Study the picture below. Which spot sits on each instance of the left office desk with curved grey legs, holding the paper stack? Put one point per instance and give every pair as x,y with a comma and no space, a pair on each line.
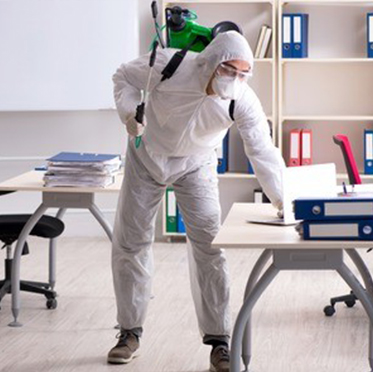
52,197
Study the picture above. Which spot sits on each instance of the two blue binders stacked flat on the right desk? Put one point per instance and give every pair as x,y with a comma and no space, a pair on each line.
345,217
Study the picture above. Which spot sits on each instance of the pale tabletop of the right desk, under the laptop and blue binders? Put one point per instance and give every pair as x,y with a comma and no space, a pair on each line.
237,233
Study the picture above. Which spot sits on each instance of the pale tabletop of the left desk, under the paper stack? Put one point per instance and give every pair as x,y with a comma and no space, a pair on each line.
33,181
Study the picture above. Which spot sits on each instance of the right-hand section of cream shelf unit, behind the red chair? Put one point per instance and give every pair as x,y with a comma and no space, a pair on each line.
329,92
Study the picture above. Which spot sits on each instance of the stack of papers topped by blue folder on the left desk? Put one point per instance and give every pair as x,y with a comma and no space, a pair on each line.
72,169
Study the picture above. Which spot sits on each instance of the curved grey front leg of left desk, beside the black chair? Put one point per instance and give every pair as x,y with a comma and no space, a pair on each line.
17,261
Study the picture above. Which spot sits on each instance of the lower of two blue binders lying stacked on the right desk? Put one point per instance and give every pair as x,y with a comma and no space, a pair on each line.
353,229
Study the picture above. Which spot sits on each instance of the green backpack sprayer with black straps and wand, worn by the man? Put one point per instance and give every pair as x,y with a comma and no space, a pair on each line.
182,32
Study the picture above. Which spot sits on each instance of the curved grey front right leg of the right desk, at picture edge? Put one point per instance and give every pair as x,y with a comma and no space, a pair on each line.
364,297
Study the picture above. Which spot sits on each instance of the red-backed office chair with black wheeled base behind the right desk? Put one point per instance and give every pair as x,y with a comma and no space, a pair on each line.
354,179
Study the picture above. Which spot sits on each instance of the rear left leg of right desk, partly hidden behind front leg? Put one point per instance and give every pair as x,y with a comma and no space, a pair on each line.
255,273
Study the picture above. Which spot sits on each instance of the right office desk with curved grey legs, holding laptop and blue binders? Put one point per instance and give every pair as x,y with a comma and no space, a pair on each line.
288,252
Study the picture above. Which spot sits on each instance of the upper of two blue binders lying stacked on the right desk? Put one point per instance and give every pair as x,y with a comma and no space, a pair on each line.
334,208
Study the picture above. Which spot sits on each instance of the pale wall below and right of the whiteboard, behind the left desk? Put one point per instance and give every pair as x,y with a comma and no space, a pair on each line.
28,137
